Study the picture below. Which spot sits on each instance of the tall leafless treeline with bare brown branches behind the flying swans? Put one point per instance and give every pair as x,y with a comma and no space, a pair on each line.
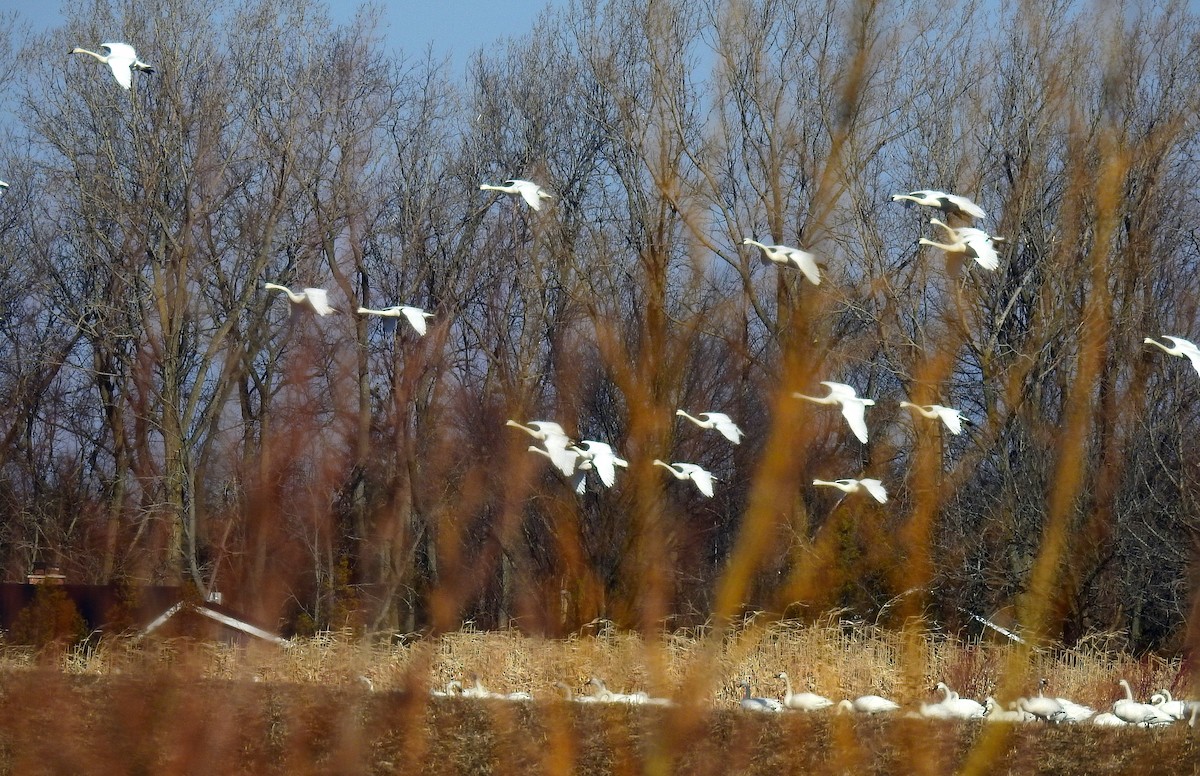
167,419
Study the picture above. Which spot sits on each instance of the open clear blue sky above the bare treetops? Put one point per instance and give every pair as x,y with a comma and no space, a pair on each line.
457,28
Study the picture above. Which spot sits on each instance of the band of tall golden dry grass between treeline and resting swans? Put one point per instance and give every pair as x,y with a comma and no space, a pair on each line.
836,659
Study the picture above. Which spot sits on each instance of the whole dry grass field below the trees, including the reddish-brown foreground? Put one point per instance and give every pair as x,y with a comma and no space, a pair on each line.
335,706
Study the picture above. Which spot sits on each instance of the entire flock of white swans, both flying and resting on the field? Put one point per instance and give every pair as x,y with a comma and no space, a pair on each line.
575,461
